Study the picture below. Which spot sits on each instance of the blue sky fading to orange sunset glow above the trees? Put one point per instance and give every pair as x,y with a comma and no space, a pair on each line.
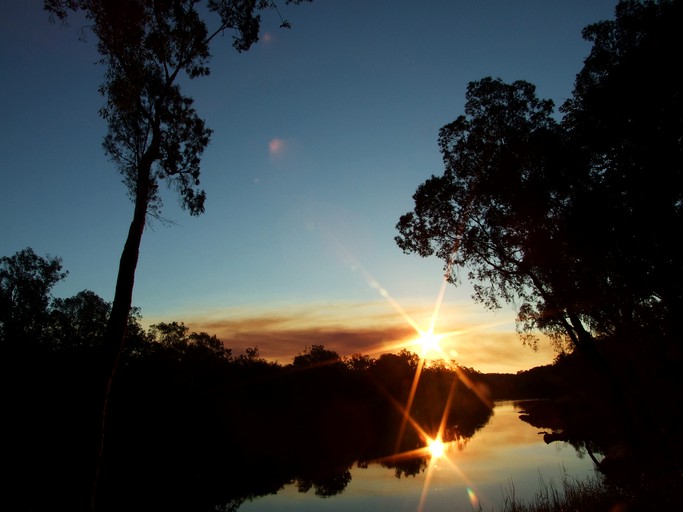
321,134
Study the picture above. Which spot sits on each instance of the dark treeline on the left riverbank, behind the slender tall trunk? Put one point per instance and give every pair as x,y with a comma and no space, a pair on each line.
191,425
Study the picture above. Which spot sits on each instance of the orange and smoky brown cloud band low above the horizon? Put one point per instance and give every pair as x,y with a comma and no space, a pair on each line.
371,329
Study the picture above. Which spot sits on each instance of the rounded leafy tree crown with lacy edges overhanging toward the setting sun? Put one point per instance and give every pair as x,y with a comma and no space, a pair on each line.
497,208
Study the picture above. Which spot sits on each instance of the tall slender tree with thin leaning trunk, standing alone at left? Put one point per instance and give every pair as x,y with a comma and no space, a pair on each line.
154,133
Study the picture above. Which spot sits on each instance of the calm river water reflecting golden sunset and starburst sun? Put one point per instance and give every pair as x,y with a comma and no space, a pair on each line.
506,457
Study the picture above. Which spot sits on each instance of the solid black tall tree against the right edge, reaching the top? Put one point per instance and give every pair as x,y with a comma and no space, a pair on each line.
625,117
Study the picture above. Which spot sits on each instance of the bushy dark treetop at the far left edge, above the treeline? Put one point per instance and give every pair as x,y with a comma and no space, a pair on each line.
26,280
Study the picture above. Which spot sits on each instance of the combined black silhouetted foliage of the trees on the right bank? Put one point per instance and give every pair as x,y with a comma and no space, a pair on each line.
574,221
